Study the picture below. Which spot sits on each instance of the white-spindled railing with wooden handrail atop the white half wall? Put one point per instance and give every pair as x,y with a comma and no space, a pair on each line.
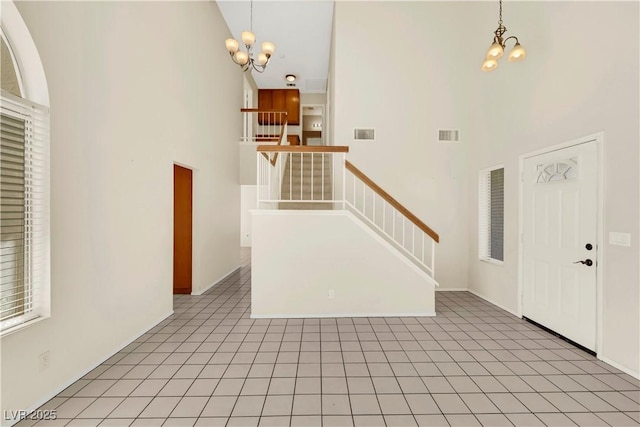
320,177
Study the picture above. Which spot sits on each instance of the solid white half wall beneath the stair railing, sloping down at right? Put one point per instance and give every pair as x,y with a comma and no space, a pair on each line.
318,264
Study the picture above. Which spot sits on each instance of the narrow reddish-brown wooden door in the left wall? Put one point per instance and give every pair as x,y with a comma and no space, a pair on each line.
182,229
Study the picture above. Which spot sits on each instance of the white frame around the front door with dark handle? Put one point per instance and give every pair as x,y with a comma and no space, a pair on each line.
598,138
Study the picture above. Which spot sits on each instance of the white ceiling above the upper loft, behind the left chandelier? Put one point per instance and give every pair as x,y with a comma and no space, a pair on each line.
301,31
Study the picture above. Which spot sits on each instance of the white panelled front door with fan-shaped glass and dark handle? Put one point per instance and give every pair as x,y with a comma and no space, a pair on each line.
559,227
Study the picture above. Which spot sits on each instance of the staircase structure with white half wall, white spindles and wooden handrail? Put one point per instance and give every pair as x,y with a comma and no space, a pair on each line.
316,209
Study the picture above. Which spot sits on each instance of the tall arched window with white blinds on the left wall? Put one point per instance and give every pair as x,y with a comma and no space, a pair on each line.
24,180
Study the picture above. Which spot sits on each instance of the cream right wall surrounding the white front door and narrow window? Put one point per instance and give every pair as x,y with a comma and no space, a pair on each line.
559,93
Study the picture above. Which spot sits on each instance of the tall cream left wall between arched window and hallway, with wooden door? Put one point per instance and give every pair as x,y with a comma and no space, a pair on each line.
126,103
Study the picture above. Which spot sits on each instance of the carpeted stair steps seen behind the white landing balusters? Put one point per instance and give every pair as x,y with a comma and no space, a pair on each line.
308,179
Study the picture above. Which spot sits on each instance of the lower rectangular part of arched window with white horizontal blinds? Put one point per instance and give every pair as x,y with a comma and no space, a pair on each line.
24,212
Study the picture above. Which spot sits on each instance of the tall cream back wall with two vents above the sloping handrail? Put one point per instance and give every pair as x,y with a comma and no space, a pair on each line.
411,91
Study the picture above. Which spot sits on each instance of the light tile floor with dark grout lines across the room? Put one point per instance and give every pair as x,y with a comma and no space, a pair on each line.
474,364
